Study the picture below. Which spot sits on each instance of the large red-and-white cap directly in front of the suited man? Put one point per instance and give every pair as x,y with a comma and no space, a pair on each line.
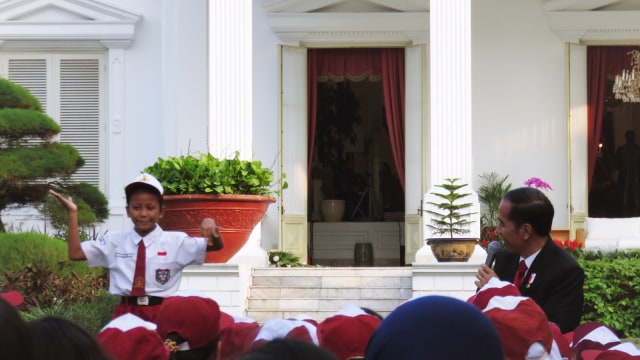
520,322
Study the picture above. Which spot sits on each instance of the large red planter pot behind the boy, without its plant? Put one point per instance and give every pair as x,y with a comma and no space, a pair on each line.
236,215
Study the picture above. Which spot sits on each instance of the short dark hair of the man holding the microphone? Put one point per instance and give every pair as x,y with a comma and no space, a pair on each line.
530,206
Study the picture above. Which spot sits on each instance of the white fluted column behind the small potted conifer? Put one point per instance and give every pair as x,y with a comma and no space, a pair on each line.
450,91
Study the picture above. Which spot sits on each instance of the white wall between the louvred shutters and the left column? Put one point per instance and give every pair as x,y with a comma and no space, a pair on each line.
166,90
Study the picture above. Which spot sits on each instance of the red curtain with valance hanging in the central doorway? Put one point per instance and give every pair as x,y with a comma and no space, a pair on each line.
358,65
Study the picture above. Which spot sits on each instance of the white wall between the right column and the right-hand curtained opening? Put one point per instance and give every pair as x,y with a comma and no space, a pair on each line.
518,98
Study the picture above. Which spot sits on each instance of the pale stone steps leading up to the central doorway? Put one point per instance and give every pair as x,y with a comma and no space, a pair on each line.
320,292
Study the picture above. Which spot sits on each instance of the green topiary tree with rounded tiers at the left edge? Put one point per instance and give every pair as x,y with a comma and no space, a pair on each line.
31,162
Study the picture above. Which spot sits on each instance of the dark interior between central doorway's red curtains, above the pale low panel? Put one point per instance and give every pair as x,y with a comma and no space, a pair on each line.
352,158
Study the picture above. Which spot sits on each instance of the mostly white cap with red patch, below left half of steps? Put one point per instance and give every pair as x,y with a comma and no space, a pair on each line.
302,329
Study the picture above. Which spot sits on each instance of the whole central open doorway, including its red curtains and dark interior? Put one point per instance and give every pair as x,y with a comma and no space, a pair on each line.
356,131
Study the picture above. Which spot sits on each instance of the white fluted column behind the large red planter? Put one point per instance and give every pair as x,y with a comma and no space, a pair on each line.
230,100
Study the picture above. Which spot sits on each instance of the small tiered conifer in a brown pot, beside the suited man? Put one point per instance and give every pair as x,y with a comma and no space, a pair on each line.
450,217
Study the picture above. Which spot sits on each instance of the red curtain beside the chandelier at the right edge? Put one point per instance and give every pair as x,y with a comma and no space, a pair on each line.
602,61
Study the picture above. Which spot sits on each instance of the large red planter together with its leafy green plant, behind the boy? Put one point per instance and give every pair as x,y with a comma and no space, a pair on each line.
236,193
